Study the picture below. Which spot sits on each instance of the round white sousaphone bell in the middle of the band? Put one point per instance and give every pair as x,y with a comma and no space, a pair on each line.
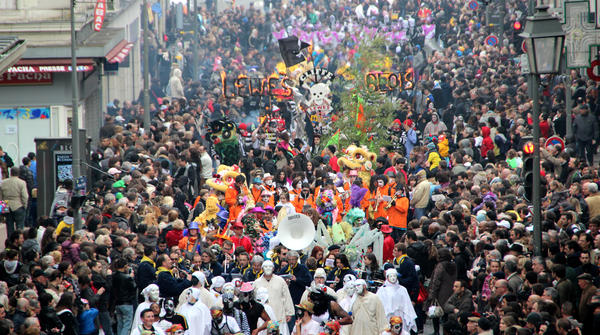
296,231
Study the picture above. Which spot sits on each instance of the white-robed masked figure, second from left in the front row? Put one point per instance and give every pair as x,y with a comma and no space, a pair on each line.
196,314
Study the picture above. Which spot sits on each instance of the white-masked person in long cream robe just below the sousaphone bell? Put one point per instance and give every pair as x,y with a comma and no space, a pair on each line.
279,296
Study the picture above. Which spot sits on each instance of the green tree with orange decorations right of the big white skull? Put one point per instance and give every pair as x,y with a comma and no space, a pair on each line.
354,90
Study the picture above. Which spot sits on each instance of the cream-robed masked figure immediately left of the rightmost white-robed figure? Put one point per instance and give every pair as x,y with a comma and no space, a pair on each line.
367,312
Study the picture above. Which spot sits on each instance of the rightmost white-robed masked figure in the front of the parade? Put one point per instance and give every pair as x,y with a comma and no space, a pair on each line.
396,301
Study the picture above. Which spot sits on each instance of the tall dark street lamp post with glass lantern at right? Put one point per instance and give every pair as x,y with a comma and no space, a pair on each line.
544,39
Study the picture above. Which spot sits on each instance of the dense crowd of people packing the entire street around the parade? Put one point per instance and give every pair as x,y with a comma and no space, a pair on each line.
430,234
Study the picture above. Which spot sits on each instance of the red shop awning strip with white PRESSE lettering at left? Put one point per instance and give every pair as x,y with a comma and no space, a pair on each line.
51,65
